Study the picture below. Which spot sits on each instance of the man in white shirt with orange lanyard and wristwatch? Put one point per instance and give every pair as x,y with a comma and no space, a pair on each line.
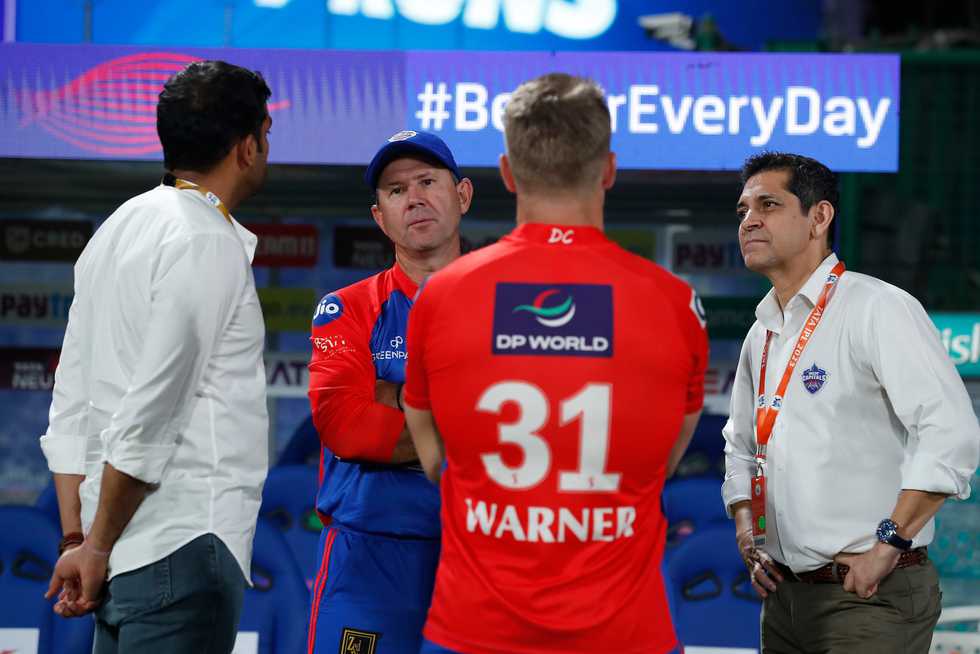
849,428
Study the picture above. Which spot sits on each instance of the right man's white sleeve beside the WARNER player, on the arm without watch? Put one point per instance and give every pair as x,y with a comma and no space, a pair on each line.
739,433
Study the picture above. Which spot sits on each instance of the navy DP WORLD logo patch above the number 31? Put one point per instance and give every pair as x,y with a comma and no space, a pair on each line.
537,319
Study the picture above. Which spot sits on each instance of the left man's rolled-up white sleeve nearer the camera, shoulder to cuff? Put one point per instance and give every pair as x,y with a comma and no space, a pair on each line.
194,292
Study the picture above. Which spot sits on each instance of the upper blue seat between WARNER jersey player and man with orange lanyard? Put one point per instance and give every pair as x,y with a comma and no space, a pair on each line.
689,505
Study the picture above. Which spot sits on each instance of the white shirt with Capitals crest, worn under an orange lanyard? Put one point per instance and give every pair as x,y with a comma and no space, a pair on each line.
890,413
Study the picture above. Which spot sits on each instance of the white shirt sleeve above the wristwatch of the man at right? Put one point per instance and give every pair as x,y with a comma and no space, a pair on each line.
927,395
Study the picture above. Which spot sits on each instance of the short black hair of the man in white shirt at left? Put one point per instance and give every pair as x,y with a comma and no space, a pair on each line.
206,109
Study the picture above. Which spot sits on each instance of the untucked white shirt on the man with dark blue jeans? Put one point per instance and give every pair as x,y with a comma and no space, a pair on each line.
161,375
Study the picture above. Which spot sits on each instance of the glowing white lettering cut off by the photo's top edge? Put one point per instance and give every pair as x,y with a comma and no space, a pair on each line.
572,19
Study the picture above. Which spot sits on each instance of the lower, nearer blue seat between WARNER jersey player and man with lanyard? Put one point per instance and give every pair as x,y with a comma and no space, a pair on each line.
714,604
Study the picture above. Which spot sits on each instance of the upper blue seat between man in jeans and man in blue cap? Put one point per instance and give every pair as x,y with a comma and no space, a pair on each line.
288,501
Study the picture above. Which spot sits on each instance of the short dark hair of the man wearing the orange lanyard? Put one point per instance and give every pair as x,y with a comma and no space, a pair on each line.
809,180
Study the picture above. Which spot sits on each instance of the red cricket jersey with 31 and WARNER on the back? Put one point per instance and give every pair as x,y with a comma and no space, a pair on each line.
558,368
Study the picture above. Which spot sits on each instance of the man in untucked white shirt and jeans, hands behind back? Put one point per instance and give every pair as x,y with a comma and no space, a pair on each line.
158,433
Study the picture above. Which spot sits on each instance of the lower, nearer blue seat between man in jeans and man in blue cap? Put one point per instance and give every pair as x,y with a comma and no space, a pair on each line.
277,607
